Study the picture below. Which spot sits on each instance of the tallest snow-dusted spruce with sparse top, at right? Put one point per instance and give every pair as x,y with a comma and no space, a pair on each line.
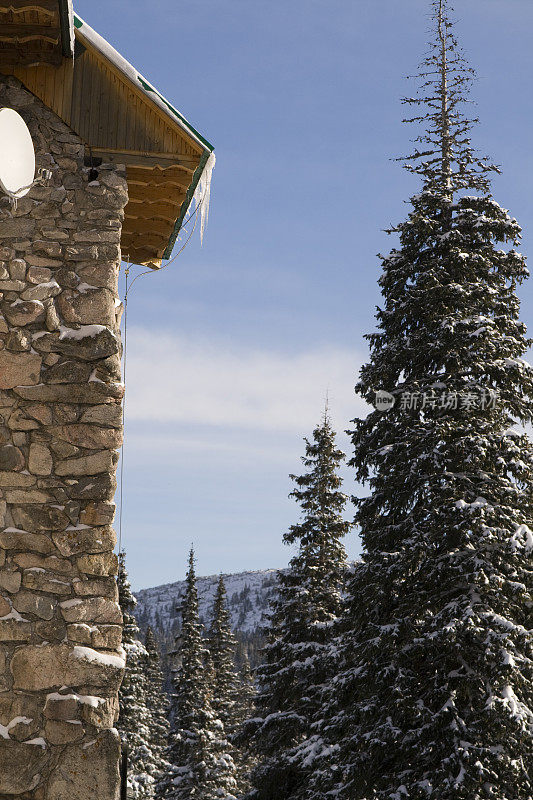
434,694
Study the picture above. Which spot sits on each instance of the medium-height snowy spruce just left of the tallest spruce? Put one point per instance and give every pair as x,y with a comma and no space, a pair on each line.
301,622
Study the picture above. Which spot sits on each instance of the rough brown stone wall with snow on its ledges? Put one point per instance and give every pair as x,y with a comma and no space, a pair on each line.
60,427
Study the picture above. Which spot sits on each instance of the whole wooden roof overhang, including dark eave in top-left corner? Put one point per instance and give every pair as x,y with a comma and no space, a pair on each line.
119,114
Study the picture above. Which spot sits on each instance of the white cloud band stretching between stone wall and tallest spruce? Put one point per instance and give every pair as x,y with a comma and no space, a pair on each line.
174,379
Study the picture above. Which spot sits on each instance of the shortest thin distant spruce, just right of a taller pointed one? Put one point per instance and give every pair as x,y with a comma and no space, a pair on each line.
222,646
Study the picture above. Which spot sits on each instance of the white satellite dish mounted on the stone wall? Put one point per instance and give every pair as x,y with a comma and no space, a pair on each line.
17,154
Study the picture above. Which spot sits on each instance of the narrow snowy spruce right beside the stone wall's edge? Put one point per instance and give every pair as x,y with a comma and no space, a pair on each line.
134,718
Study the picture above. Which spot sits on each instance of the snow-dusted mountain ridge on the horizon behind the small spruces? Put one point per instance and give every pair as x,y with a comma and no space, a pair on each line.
249,594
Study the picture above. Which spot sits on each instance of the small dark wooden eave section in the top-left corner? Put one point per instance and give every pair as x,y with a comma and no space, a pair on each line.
34,32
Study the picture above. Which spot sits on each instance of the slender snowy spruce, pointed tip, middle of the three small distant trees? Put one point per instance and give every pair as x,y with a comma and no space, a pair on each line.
200,761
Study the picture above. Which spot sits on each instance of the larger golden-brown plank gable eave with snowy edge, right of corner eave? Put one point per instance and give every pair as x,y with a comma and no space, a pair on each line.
123,119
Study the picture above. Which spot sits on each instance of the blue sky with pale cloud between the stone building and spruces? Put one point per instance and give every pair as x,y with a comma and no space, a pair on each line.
233,348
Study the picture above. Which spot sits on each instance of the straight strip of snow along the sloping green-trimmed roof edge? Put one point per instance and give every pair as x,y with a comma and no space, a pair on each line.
138,80
